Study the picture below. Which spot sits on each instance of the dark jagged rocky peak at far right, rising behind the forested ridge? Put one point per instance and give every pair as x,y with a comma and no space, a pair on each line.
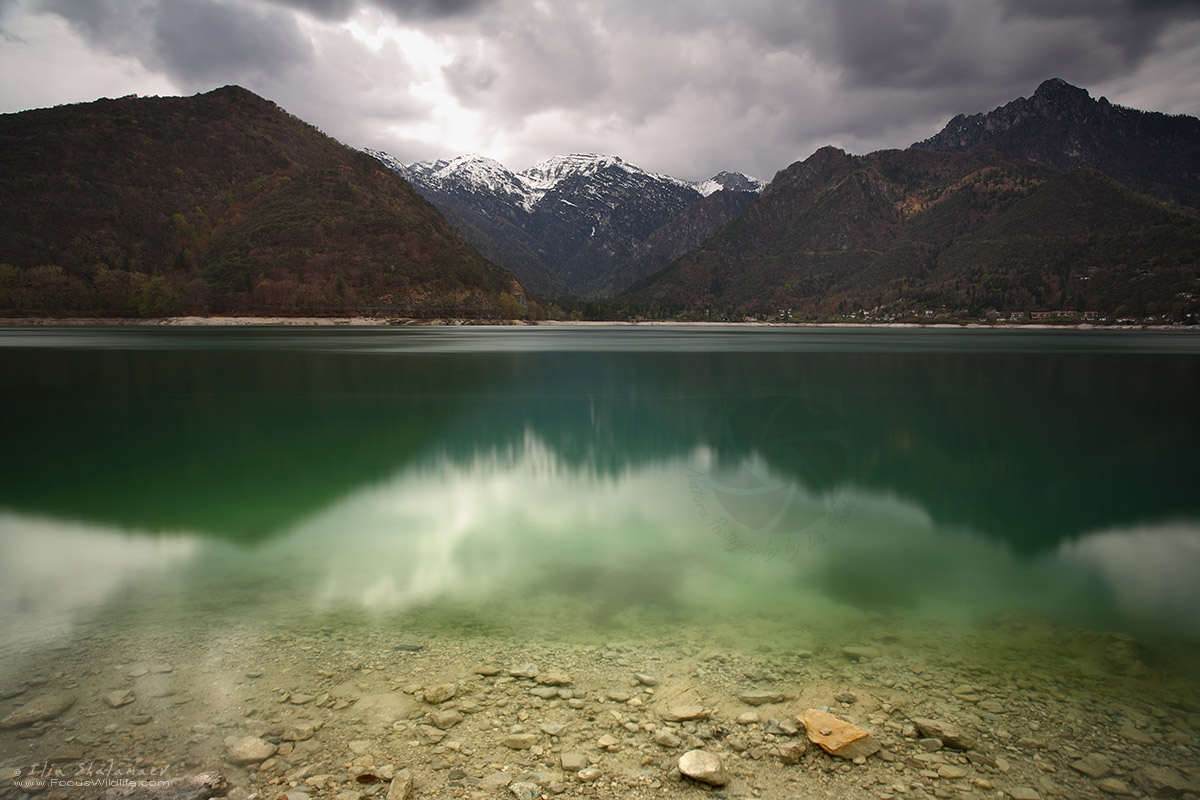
1061,128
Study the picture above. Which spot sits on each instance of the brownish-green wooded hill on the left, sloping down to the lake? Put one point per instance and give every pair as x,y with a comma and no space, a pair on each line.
221,203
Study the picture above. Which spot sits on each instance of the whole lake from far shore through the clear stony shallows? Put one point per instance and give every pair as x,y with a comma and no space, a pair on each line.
213,520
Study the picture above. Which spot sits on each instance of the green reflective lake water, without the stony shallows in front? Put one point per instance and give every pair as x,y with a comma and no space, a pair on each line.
784,489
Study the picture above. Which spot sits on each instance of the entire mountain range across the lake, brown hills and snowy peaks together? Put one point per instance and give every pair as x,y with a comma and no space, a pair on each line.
1055,206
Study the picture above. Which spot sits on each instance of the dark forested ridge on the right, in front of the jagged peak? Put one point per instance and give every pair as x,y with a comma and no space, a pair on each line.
897,236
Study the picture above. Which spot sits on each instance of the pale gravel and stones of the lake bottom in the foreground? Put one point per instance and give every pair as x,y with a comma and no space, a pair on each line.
1019,709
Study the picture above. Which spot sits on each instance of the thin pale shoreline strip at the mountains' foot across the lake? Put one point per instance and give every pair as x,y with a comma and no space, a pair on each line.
405,322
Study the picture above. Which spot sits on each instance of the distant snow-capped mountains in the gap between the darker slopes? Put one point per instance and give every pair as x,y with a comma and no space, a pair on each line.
568,224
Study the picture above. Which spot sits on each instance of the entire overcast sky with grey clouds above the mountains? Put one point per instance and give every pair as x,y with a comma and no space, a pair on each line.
681,87
